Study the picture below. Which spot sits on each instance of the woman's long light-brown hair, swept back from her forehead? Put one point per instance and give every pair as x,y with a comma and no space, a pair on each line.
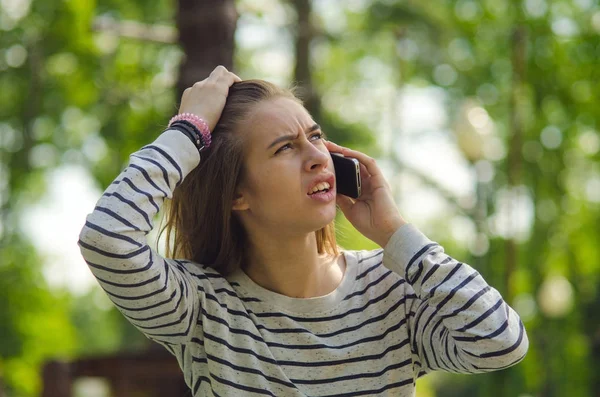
200,224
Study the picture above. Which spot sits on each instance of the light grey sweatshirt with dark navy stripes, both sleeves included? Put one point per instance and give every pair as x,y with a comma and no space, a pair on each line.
398,313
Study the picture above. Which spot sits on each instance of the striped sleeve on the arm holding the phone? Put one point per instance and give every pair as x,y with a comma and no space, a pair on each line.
458,322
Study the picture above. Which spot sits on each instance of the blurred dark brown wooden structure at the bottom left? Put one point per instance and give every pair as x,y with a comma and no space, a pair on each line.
151,373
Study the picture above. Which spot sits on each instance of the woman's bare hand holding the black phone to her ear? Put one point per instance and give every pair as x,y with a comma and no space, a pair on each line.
374,214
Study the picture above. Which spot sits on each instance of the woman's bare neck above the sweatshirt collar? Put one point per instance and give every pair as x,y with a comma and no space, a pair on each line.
293,267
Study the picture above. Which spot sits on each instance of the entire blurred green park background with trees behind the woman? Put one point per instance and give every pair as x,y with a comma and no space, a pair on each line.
483,114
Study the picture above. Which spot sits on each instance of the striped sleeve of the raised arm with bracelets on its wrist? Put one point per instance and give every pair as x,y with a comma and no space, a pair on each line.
159,296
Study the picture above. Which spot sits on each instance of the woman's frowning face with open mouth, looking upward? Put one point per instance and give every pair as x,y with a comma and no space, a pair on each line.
286,157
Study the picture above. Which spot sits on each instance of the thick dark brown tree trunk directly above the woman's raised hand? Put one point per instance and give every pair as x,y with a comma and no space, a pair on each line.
206,35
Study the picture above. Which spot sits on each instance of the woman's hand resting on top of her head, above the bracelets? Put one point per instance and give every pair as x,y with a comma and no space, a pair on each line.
206,98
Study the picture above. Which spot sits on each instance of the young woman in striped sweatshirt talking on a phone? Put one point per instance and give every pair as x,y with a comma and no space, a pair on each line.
262,301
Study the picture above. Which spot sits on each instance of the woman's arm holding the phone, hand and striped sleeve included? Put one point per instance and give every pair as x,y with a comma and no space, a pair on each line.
461,324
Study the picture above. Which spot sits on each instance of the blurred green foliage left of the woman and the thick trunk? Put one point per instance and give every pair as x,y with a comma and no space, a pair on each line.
69,94
